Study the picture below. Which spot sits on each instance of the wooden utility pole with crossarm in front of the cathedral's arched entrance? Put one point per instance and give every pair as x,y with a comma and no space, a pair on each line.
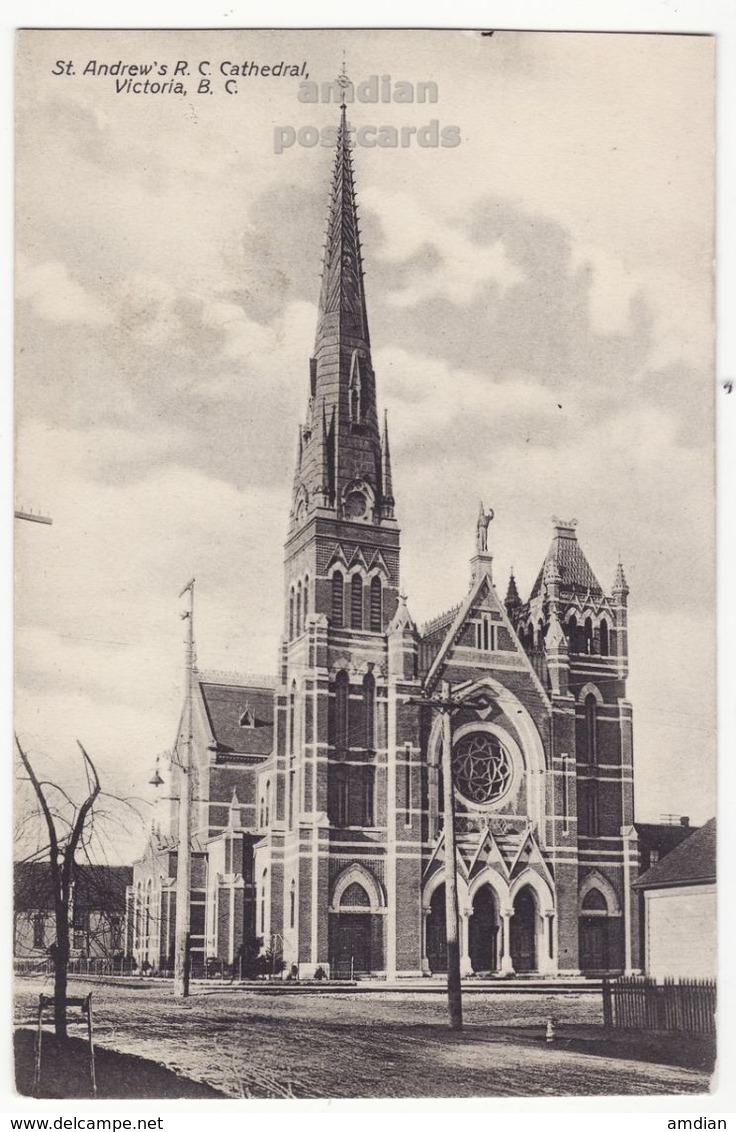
447,706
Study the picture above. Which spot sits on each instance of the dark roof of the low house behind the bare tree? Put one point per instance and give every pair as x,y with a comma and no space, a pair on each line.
96,886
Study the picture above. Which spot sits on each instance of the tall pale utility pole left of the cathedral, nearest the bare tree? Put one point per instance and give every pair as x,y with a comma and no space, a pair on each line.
184,856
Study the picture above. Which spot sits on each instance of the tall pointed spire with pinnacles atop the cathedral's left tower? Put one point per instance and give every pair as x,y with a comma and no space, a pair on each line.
345,469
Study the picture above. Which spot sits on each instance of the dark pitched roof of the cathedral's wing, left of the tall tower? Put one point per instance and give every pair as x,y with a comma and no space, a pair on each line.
228,704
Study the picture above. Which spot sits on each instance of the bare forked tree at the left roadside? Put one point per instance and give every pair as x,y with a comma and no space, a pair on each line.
66,834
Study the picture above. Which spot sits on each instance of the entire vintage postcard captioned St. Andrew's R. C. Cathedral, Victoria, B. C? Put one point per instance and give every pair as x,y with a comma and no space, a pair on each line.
365,545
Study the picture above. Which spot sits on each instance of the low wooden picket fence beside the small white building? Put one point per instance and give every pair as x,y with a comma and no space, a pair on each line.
639,1004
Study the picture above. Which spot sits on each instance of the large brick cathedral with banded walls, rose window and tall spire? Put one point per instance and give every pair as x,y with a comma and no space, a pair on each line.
318,821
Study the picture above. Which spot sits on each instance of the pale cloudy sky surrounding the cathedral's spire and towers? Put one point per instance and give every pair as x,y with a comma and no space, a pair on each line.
541,310
